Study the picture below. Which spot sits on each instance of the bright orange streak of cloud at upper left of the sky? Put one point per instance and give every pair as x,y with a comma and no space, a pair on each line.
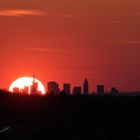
20,12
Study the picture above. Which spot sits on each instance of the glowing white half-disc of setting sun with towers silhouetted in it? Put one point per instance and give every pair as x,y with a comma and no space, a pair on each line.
27,85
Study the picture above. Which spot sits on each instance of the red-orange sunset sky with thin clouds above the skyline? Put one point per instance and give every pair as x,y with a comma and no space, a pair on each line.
68,40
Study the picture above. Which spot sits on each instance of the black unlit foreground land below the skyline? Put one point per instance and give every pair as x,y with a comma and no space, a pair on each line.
69,117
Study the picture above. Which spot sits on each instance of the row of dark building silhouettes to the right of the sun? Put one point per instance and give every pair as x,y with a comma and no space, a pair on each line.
53,87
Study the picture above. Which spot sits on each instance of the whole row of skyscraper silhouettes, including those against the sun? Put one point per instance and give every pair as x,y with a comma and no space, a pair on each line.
53,88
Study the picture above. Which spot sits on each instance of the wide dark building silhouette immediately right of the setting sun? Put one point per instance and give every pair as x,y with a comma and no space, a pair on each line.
53,87
